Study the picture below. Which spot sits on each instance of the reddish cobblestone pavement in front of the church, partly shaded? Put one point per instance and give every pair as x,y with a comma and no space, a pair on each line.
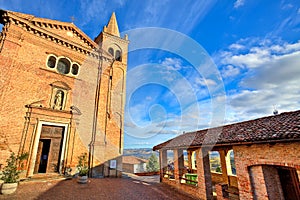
100,189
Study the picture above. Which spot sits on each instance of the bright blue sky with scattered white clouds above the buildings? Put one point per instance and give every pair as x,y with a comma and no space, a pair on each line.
194,64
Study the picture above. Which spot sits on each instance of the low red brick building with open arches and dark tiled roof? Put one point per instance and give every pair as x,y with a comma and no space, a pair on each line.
266,160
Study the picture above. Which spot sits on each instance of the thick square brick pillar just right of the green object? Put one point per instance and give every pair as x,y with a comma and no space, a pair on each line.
204,174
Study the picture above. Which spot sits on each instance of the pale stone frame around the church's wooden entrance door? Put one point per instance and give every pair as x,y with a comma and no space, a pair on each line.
36,144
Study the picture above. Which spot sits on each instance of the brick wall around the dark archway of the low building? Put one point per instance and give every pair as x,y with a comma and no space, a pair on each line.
250,158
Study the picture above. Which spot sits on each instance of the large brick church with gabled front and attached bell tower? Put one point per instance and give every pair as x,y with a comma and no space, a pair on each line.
62,95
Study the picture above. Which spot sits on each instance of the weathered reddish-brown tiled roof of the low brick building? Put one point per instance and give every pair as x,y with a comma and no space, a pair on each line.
276,128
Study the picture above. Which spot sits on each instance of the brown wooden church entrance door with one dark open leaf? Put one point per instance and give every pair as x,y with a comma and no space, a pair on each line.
48,158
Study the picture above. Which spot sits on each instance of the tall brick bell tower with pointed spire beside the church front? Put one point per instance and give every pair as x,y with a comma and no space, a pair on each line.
112,98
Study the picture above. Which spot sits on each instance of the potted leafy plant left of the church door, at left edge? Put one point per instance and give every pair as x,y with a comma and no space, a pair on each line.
10,173
